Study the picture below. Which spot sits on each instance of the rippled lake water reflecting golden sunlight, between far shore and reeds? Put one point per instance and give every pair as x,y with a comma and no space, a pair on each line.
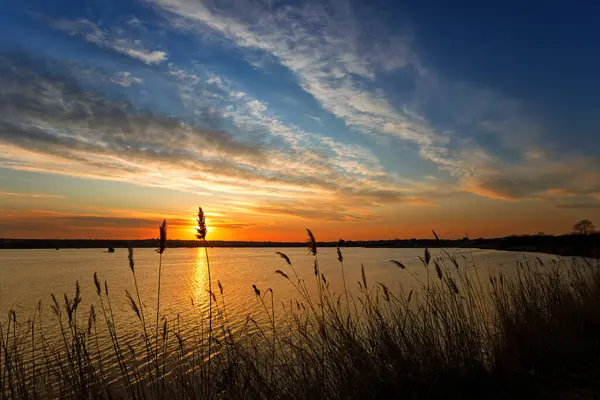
28,276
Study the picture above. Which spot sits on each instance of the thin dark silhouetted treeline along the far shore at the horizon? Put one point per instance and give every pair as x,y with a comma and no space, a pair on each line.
567,245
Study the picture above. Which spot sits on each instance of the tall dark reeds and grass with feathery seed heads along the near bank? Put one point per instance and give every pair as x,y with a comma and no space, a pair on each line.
459,335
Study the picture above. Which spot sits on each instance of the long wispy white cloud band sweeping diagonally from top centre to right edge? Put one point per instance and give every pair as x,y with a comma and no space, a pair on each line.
492,144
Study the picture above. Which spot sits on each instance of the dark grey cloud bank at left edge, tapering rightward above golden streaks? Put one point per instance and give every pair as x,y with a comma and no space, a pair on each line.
55,118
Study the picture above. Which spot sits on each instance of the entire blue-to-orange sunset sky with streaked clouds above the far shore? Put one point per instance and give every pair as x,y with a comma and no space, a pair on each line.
357,119
